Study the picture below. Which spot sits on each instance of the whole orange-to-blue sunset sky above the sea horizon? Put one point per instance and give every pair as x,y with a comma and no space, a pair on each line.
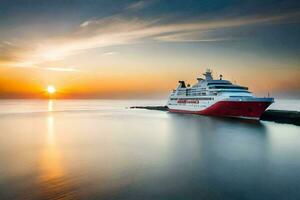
140,49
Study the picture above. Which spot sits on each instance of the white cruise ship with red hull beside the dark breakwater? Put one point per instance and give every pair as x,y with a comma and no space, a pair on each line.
217,97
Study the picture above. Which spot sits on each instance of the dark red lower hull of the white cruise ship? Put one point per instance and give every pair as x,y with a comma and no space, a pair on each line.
243,109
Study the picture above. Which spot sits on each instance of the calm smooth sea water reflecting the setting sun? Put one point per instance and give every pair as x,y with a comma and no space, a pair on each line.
101,149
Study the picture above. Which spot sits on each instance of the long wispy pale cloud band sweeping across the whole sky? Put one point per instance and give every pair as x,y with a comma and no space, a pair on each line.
120,30
